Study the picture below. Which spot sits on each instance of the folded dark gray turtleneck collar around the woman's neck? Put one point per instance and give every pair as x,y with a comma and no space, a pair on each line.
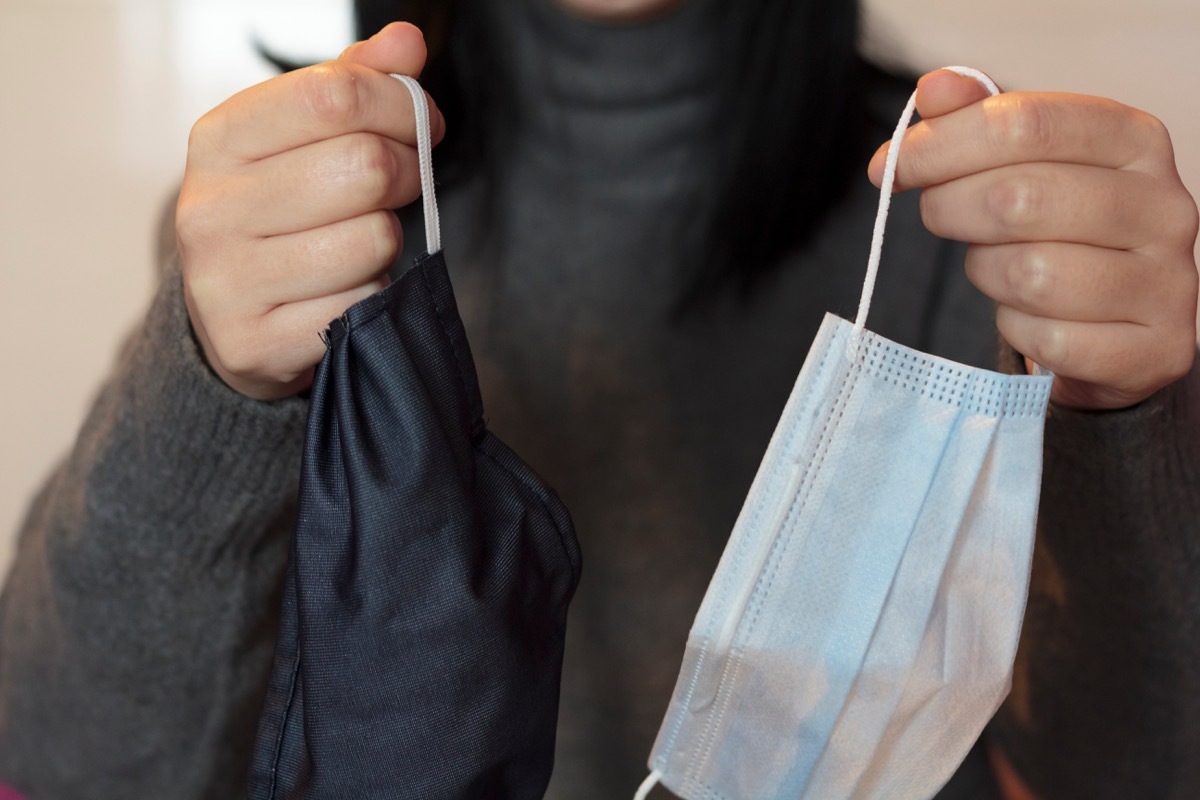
614,109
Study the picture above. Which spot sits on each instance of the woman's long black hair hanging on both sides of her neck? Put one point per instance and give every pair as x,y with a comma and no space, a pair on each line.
795,91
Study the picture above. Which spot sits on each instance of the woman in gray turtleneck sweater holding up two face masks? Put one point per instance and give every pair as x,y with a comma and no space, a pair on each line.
650,204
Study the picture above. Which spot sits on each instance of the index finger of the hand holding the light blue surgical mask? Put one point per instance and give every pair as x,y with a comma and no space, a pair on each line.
1025,128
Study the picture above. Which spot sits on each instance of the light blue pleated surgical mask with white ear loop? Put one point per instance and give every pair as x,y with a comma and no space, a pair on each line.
861,628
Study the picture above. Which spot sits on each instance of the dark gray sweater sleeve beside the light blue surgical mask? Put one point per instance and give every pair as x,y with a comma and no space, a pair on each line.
1106,701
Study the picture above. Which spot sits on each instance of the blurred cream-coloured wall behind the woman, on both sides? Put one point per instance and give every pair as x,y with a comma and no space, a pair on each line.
98,97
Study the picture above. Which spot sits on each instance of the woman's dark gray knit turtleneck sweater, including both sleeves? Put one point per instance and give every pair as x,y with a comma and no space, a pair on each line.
136,628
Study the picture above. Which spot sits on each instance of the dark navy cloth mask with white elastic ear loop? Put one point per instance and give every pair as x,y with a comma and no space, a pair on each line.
425,604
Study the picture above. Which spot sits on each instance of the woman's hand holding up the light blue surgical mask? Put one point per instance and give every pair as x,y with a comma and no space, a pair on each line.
1079,225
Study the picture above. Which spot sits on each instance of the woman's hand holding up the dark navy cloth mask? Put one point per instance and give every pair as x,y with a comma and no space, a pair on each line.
285,218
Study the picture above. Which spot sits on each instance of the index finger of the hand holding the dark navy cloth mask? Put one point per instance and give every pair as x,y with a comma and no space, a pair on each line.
311,105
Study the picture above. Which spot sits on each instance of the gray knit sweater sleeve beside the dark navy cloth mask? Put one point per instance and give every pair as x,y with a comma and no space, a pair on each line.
137,623
